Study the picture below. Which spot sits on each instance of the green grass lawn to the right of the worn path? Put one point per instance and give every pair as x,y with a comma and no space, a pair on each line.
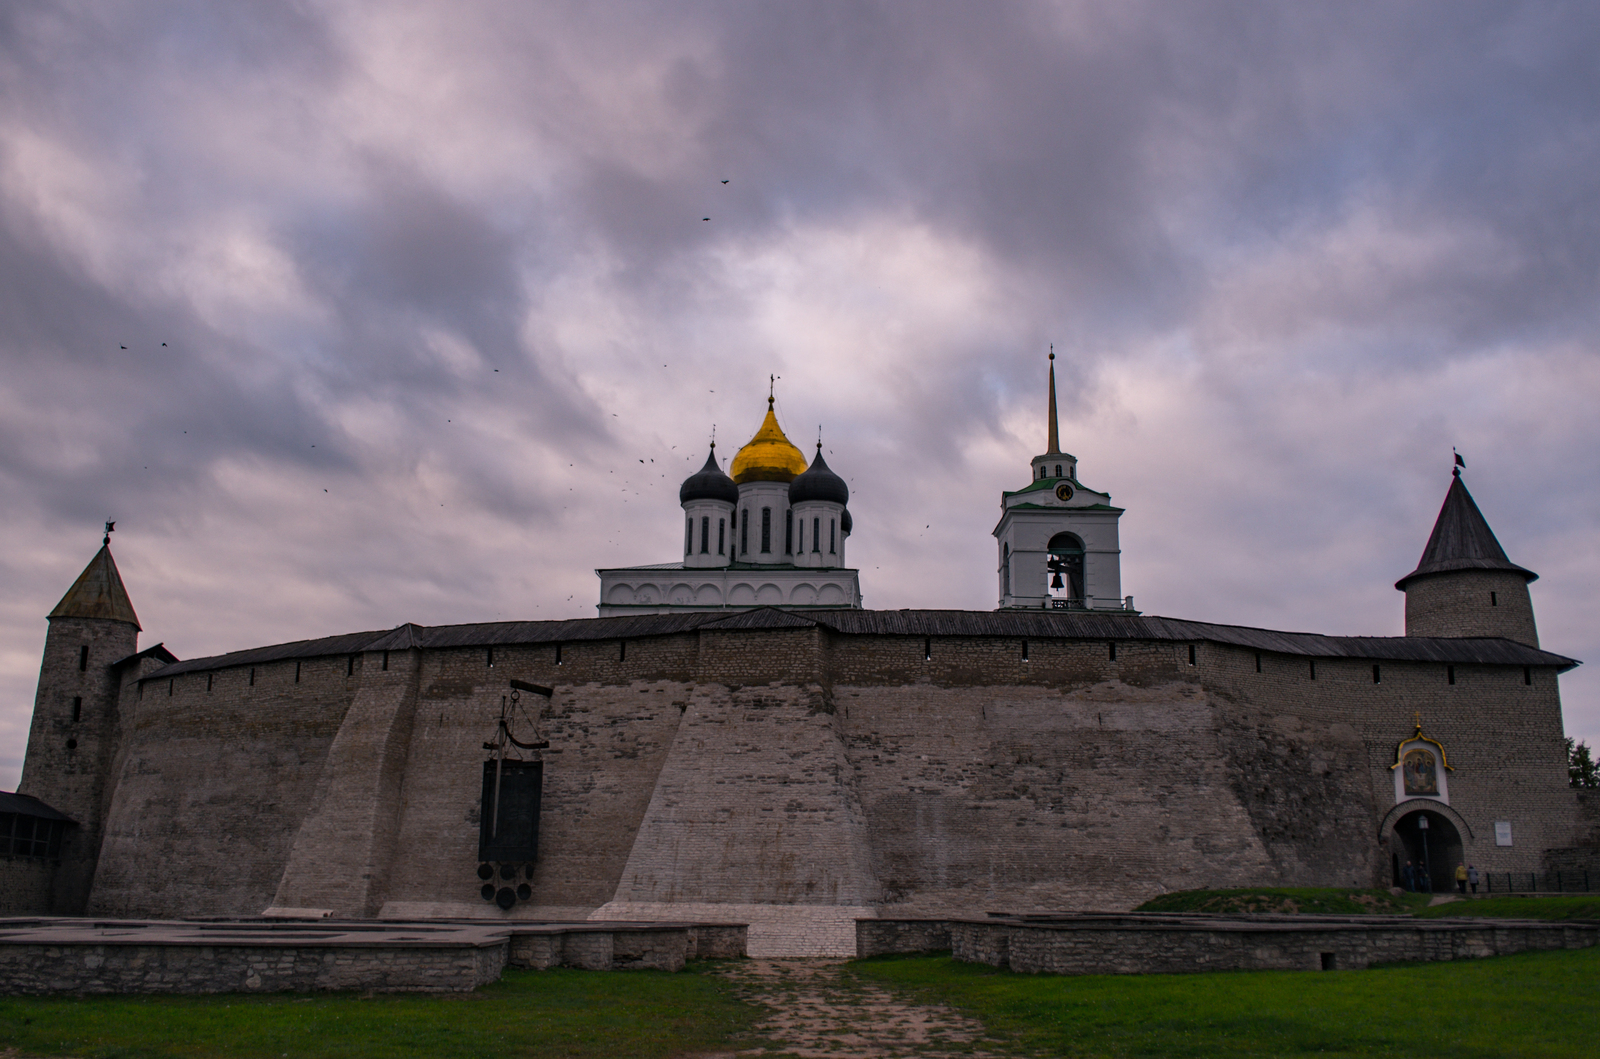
1532,1005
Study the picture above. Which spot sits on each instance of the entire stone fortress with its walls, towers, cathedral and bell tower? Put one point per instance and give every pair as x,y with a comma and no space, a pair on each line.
735,738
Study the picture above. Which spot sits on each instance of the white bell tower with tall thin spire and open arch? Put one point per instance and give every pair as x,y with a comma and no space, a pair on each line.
1058,538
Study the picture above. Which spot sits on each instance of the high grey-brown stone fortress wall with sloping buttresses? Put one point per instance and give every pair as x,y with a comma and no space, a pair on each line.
774,759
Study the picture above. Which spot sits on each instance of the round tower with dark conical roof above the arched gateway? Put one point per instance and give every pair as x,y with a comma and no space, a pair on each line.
1465,585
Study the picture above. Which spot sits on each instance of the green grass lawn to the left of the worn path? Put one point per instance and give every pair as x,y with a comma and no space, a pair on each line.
527,1013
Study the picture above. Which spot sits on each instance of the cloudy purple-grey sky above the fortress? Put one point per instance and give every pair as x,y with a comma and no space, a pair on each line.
356,314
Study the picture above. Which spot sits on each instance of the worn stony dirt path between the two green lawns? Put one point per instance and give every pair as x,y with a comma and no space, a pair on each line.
820,1013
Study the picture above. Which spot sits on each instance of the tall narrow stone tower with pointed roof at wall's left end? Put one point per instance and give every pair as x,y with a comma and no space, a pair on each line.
73,738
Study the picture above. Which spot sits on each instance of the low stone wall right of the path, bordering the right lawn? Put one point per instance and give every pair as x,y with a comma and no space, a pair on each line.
1177,945
